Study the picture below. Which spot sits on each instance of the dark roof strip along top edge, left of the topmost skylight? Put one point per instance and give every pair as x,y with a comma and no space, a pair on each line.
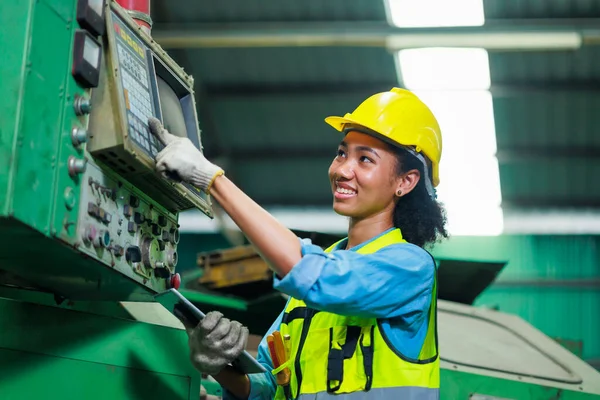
184,11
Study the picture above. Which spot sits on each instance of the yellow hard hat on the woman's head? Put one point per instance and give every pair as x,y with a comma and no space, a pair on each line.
403,119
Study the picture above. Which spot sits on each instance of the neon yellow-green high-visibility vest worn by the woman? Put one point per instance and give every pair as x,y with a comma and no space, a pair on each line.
351,358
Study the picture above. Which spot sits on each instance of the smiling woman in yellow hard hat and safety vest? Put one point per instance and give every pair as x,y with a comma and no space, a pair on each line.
361,314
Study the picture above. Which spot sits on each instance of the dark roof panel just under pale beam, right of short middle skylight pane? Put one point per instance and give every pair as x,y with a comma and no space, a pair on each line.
531,67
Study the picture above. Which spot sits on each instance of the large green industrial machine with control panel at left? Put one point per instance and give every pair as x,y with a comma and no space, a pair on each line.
85,222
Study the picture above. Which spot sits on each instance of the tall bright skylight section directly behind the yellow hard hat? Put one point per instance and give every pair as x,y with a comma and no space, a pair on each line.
469,177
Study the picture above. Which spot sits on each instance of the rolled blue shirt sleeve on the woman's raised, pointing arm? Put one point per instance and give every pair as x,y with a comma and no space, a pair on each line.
396,281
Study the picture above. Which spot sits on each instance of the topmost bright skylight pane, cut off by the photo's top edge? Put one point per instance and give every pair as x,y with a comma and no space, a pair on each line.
435,13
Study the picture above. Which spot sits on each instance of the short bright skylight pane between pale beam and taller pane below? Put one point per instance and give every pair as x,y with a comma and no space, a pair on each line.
444,69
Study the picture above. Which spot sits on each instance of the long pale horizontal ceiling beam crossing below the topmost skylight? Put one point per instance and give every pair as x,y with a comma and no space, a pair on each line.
509,34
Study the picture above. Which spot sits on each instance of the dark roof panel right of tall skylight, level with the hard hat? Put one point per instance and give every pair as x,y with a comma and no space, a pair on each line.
547,119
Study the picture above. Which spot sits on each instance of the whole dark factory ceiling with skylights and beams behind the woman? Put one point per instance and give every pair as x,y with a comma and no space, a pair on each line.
268,72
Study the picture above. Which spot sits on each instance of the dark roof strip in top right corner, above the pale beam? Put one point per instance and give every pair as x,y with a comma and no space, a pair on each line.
541,9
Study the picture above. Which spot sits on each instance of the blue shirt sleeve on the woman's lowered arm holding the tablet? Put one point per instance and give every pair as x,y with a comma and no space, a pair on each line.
262,386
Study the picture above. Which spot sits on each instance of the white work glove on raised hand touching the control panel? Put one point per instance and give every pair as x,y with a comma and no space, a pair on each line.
181,160
